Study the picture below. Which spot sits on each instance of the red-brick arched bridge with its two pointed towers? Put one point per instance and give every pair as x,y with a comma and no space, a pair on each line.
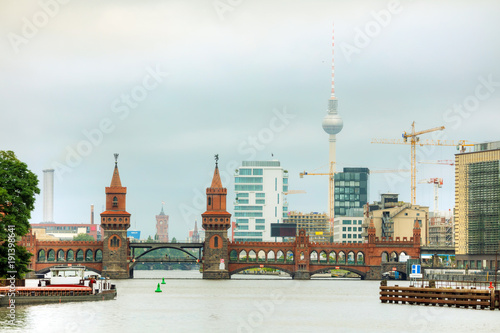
114,255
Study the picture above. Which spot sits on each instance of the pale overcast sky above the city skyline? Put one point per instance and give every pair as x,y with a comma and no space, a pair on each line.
168,84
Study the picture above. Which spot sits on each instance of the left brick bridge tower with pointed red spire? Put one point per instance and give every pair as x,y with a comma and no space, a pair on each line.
115,221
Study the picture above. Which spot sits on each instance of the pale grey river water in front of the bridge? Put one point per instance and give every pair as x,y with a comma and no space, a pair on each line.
245,304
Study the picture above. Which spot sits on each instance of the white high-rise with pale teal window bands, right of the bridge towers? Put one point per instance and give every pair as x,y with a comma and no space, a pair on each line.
260,199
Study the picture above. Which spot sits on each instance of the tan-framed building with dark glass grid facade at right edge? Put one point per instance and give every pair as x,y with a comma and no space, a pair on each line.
477,206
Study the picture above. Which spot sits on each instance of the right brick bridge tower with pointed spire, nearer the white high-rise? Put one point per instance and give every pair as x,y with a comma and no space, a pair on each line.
216,222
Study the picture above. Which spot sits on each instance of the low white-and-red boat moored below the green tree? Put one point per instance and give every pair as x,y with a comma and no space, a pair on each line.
66,284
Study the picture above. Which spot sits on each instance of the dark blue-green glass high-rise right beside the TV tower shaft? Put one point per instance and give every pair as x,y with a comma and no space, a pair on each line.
351,191
